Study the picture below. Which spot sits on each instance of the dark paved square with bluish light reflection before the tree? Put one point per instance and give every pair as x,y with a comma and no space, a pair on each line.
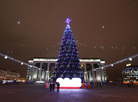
37,93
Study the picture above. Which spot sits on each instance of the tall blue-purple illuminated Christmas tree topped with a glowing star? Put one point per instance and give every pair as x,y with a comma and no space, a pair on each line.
68,64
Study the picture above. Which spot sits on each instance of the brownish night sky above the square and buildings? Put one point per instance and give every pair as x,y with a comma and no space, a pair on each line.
106,29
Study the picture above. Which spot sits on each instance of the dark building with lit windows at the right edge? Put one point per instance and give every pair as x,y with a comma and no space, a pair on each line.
130,74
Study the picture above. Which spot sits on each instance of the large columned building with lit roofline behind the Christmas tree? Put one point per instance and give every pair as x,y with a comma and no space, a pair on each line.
46,67
